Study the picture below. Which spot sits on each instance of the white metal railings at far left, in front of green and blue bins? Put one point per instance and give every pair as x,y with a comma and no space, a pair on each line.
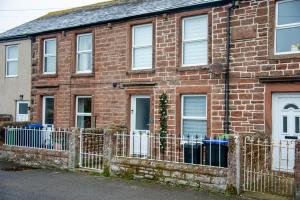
44,138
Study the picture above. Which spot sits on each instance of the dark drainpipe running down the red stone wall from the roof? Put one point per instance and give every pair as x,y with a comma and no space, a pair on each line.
226,78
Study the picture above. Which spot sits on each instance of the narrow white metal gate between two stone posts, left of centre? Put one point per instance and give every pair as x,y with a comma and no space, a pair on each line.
91,150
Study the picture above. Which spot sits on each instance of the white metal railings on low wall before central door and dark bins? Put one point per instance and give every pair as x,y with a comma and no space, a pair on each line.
191,150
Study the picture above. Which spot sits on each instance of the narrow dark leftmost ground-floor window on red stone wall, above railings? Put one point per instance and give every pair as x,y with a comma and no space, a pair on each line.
48,110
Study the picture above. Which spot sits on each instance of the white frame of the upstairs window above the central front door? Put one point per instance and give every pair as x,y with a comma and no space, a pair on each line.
133,47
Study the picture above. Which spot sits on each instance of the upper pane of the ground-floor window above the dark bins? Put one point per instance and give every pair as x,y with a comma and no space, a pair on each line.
194,106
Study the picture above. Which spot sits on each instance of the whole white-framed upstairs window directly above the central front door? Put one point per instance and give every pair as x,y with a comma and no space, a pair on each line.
142,51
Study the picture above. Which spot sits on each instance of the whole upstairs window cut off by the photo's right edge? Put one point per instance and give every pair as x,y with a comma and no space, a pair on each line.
287,31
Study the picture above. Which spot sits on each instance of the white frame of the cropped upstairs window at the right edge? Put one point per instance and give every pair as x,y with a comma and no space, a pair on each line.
285,26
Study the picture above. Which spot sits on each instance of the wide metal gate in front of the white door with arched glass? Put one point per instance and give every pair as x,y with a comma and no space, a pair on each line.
266,166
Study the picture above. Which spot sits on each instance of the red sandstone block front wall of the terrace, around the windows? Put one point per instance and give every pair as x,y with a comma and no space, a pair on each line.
251,57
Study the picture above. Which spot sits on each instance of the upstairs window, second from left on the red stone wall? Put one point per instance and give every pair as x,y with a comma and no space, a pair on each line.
84,53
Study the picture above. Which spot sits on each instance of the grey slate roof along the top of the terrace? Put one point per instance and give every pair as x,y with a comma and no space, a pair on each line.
109,12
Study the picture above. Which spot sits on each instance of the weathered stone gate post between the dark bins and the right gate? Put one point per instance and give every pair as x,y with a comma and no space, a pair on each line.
234,165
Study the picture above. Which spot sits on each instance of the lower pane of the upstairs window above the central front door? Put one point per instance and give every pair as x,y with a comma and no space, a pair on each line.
142,58
